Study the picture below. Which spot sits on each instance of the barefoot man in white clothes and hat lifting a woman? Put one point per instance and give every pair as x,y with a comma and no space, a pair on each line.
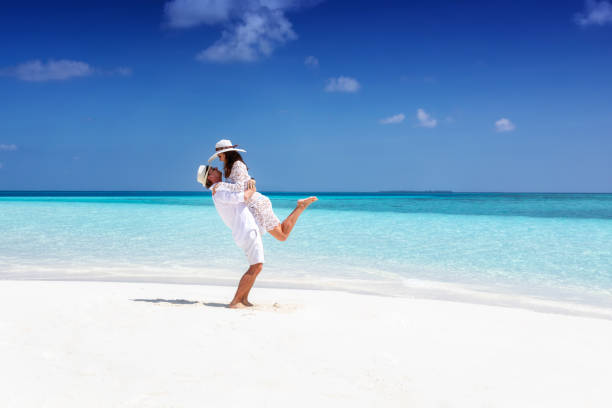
232,208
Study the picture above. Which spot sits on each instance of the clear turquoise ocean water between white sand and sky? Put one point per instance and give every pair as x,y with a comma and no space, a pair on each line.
547,246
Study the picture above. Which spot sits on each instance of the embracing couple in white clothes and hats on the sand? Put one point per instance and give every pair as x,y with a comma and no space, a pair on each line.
245,211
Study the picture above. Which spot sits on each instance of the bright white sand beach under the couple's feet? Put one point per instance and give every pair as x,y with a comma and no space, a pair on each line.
105,344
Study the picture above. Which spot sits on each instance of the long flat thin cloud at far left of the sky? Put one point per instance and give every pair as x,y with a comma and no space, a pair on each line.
57,70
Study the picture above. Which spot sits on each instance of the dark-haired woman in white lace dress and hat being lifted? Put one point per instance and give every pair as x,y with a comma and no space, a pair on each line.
238,179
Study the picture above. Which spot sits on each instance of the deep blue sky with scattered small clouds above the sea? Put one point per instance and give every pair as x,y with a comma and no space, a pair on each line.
323,95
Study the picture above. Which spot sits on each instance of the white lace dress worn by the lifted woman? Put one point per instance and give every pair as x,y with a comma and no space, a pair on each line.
259,205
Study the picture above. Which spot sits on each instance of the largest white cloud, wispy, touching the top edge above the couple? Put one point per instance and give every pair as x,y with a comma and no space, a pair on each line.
253,28
